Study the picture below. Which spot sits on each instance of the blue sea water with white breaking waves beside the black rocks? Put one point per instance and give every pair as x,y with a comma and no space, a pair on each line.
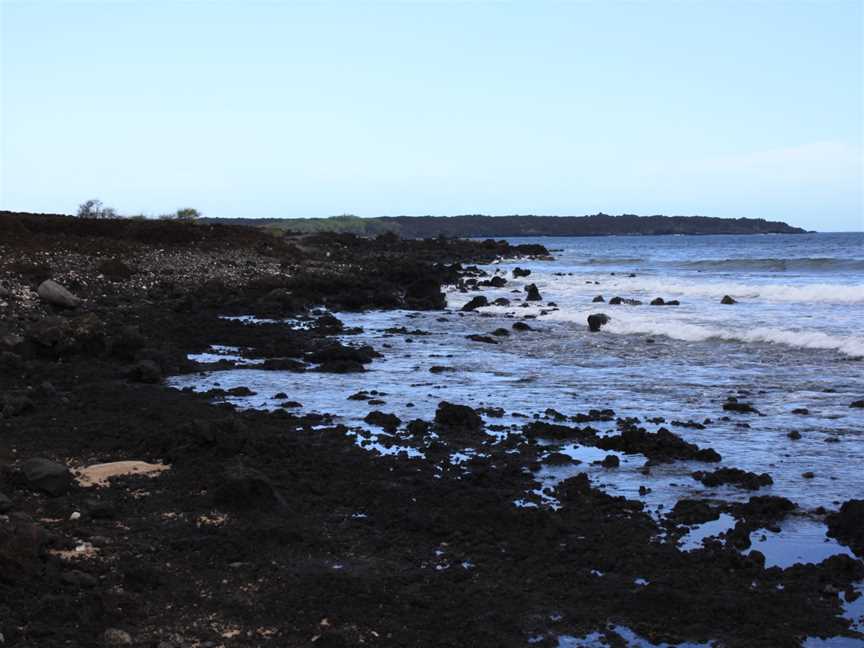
794,340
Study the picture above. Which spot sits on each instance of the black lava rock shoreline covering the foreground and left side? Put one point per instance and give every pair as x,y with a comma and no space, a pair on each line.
249,528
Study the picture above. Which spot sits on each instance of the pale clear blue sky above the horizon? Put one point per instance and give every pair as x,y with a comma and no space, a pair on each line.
314,109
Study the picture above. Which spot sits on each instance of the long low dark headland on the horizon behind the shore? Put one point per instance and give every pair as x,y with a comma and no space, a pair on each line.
478,225
